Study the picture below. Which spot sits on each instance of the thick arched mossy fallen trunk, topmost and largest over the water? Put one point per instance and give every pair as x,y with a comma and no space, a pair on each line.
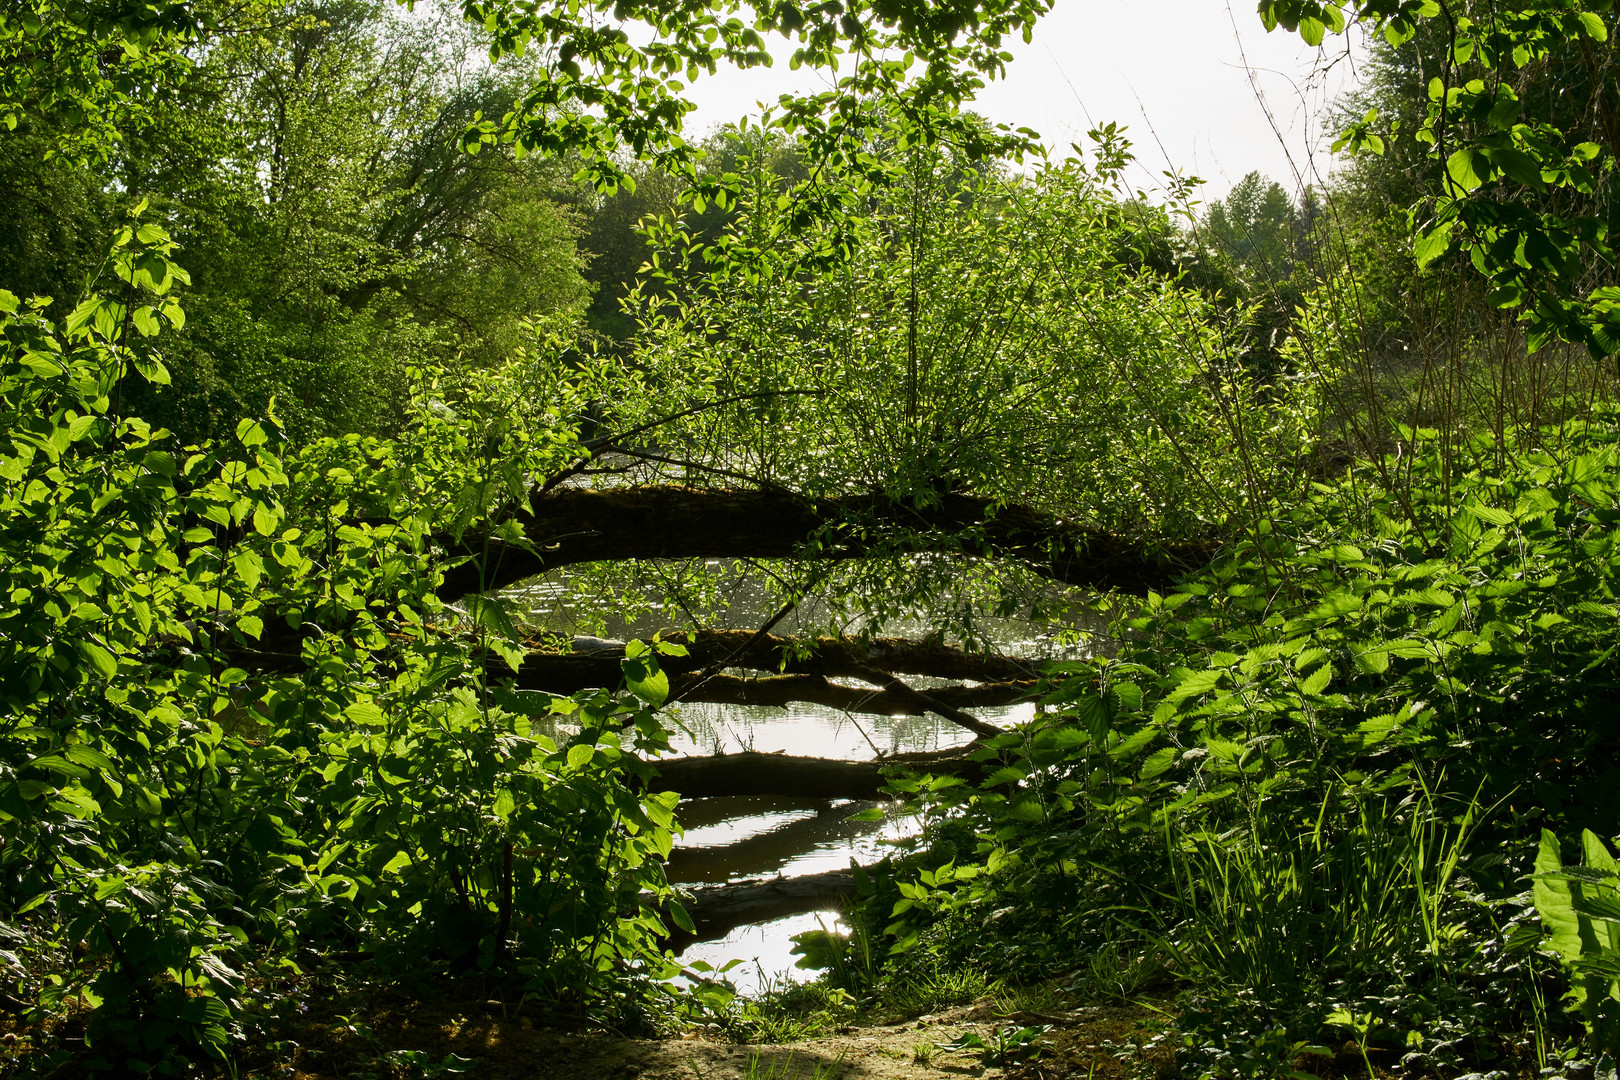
574,525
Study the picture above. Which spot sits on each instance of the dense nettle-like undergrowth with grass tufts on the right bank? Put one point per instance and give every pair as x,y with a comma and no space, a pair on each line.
1310,781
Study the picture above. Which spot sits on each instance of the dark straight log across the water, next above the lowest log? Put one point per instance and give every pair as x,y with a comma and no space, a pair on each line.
787,775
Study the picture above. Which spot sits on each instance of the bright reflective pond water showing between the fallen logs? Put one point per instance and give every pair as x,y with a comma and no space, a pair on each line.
738,838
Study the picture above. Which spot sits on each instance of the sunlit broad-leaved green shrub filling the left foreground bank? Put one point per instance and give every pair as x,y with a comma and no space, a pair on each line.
239,731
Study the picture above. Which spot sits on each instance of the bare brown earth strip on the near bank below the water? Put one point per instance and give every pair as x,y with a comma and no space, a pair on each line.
399,1037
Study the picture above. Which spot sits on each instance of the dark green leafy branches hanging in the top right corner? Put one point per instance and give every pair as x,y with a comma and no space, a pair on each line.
1525,198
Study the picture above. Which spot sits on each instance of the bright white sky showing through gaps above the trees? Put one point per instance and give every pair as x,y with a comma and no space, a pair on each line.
1177,74
